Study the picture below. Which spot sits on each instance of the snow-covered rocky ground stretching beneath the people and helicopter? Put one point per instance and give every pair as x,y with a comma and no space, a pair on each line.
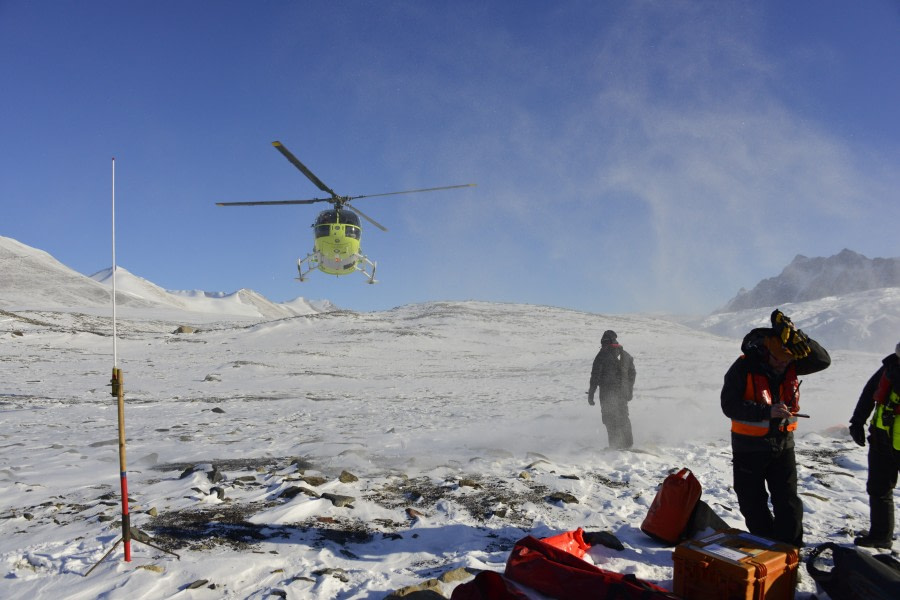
449,426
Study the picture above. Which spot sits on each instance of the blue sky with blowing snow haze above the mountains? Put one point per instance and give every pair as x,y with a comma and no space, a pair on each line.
630,156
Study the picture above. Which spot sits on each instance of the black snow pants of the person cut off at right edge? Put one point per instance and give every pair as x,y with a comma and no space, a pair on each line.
884,466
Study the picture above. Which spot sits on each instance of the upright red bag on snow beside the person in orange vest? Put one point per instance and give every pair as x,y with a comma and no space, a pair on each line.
671,509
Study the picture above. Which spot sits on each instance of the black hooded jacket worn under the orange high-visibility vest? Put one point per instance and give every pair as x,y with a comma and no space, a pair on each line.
753,365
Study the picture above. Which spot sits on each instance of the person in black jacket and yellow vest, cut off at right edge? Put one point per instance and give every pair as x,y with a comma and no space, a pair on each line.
881,393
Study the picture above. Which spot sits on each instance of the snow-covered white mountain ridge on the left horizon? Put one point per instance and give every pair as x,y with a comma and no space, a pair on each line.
31,279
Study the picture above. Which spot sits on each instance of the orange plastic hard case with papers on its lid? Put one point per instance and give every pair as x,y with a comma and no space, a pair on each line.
735,565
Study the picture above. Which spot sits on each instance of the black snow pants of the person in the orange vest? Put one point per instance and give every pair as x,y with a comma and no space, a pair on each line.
776,468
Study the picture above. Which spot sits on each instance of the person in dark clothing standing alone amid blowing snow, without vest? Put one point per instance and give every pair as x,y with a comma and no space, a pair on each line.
613,375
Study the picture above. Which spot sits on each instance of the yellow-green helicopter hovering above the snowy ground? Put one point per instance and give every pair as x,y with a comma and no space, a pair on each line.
337,230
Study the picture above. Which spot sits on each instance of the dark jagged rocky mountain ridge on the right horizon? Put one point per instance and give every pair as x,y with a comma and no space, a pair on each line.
806,279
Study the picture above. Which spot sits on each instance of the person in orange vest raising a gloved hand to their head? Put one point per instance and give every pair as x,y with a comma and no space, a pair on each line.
761,396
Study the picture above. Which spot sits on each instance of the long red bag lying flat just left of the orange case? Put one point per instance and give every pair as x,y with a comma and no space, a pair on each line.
558,574
